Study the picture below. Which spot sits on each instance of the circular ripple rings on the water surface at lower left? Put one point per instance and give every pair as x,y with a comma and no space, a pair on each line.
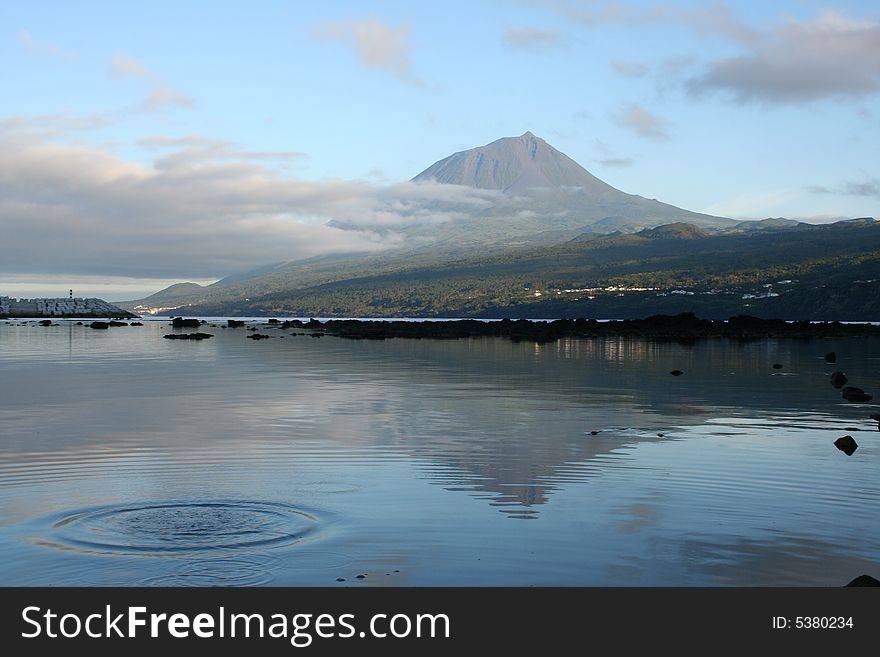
162,528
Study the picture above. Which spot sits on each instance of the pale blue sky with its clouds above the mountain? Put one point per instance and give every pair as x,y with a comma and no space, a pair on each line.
152,142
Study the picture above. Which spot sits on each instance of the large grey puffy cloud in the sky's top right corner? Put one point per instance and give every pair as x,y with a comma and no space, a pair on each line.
796,61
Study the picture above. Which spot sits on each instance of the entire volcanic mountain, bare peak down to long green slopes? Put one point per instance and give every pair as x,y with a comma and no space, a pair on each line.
550,223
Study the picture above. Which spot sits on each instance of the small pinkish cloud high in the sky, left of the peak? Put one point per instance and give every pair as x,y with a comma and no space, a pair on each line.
377,45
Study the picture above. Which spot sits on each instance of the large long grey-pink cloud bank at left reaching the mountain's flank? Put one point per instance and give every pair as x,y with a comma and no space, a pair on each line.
81,210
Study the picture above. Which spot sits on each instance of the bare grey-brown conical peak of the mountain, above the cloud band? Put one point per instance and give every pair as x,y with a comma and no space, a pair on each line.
513,164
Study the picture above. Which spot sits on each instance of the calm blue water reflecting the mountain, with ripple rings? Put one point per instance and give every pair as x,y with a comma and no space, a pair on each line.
126,459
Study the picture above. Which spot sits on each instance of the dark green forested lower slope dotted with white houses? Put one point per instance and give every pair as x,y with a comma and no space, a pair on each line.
828,271
